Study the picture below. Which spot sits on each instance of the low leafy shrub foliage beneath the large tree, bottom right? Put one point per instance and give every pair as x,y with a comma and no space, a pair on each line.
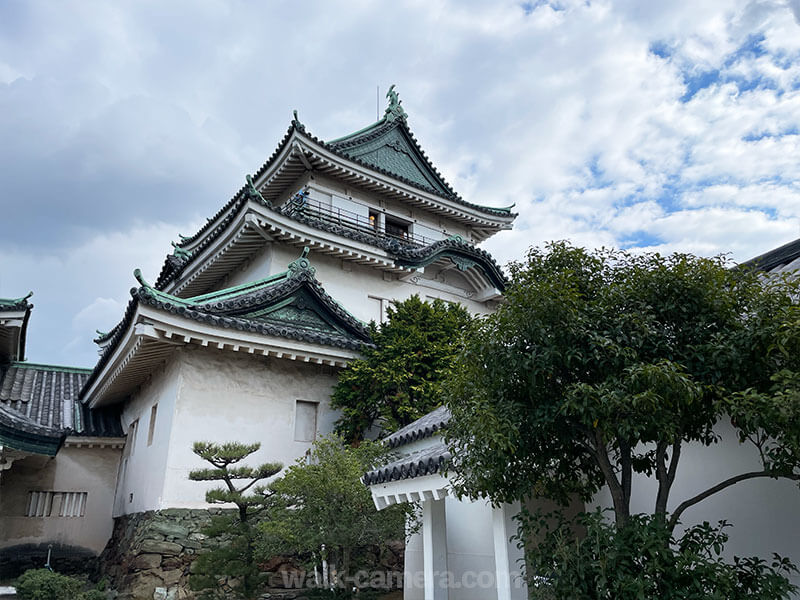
642,560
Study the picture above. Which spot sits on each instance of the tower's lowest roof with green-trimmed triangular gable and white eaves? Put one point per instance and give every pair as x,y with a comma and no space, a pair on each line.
291,305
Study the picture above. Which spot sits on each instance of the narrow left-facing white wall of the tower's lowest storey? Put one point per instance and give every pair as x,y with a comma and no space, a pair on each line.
140,483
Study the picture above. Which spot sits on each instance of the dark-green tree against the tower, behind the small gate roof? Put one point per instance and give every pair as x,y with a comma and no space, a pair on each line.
399,380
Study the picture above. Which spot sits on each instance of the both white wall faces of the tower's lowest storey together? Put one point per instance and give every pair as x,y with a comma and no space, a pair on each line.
217,396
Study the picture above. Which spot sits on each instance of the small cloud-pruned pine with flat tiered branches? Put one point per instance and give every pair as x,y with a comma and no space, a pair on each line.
231,556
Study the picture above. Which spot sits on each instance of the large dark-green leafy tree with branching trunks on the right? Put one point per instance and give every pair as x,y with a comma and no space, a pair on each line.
603,366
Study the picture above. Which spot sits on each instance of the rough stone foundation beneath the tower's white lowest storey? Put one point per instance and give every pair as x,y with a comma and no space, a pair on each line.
150,556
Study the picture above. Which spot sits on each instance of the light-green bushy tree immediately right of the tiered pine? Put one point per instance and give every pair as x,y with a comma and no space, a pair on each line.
321,500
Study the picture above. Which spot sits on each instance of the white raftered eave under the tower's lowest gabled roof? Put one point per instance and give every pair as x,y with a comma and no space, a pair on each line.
154,335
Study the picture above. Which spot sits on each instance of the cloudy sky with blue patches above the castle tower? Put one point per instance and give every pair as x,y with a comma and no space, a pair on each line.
651,126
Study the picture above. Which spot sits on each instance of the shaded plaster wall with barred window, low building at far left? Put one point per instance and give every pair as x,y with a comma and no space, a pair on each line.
91,470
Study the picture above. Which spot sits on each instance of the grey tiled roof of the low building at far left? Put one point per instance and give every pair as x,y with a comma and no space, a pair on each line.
40,407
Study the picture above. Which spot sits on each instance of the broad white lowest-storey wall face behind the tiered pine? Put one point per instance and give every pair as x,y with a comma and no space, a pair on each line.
225,396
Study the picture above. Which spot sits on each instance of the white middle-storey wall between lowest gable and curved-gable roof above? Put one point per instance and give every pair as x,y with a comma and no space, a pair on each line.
357,288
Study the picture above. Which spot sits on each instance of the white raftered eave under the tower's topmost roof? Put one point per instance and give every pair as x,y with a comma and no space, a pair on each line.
301,151
